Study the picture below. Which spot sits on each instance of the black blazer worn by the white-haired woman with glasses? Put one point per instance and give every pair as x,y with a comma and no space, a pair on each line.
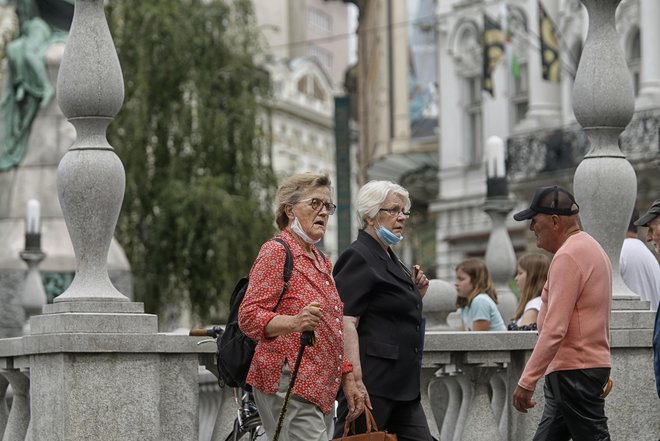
375,286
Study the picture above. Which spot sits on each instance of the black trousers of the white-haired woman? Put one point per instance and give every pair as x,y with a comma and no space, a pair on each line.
406,419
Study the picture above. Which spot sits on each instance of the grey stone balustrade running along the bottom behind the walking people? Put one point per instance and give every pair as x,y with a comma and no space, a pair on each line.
467,379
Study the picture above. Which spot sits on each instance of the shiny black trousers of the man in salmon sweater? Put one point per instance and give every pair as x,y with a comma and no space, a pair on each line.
574,406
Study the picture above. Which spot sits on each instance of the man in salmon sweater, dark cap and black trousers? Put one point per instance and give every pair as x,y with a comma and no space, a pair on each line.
573,349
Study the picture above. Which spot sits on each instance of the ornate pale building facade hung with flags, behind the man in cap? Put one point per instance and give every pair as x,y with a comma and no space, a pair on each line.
533,115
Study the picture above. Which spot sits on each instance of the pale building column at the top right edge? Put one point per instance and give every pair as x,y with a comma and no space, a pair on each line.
649,92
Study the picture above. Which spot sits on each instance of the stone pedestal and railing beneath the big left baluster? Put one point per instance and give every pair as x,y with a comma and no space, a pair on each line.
146,387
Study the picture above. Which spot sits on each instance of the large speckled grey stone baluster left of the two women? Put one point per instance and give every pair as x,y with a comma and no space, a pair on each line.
90,176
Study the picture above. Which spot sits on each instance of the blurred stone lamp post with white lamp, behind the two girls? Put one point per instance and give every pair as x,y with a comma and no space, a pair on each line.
500,257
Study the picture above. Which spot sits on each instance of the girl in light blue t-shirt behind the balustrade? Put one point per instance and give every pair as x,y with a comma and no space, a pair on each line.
477,298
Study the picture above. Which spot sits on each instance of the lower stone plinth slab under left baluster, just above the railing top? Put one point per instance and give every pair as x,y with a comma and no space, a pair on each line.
94,323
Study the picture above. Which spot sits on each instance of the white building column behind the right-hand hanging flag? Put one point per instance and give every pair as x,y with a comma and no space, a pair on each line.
544,97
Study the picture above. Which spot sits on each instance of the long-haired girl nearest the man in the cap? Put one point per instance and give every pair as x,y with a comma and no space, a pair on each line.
531,275
